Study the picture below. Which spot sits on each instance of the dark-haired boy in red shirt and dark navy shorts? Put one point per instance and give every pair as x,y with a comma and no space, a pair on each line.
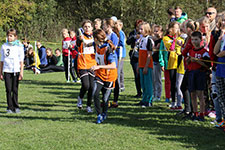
197,75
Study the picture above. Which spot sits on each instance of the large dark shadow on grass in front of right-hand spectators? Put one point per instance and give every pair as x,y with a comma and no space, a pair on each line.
163,123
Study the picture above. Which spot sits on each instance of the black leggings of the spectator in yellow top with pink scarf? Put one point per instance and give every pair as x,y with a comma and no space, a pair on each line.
173,73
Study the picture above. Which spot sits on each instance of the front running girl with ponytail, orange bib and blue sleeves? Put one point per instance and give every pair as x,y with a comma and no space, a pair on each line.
105,72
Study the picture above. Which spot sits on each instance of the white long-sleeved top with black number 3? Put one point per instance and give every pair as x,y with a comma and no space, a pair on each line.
11,56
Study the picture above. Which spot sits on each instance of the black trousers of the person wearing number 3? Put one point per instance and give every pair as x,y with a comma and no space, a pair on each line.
12,84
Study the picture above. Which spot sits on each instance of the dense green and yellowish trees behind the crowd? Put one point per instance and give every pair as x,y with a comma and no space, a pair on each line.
44,19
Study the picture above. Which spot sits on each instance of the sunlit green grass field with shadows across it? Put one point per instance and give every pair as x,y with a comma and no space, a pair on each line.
49,120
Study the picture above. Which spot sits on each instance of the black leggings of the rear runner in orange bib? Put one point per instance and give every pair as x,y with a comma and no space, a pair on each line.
87,81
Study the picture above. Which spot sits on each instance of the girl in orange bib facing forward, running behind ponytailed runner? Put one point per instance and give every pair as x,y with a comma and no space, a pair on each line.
85,60
